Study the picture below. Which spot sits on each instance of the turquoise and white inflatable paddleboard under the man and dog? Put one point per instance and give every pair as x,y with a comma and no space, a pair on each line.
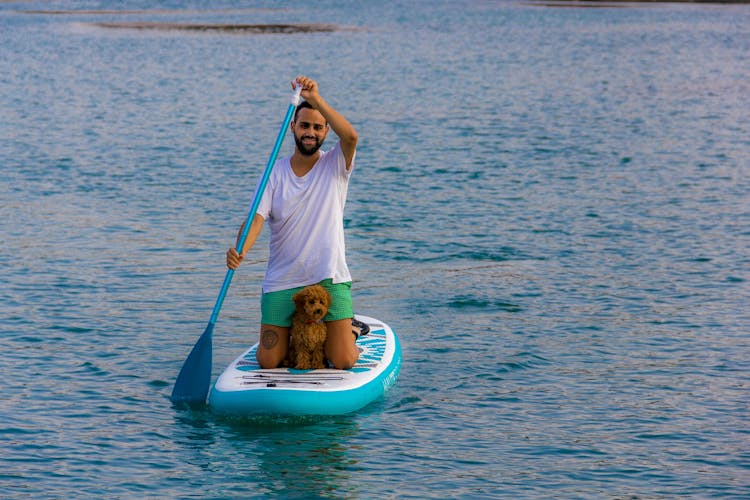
246,389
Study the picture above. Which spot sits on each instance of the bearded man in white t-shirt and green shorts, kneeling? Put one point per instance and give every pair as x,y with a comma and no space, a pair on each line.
304,206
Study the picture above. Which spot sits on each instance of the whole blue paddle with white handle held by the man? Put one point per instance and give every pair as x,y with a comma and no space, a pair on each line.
194,379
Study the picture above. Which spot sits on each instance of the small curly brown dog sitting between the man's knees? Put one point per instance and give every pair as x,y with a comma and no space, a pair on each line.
308,331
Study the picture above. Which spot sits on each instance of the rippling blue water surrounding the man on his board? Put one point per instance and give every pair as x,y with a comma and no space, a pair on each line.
550,207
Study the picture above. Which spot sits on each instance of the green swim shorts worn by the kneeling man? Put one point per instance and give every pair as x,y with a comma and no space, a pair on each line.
277,308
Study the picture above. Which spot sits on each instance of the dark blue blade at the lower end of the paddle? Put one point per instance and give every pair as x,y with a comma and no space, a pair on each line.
194,379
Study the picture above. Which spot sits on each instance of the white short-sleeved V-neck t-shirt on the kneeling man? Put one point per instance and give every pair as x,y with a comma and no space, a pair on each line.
306,217
